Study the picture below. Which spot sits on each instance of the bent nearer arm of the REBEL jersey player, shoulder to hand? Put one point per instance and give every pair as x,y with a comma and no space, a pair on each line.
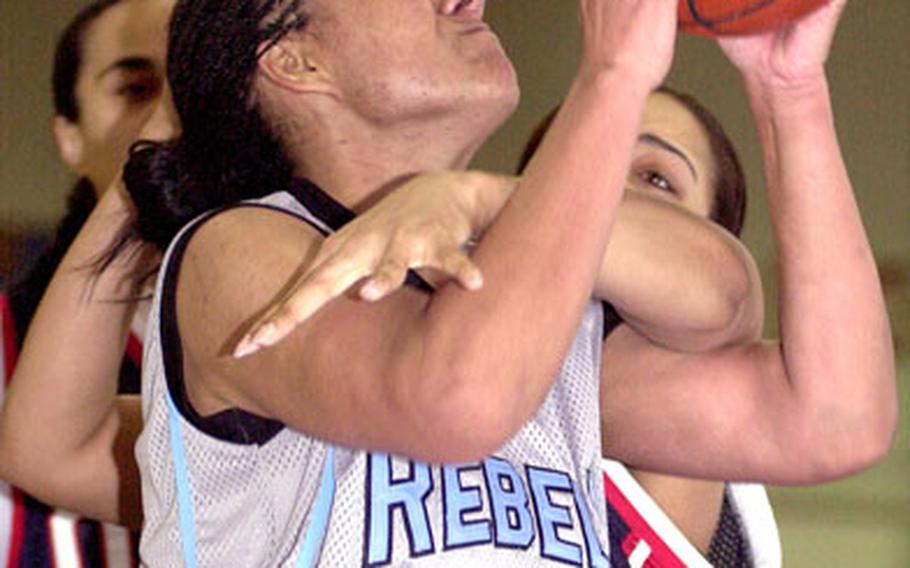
406,372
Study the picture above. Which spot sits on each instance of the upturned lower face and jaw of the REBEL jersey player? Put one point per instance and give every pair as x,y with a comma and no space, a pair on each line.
399,59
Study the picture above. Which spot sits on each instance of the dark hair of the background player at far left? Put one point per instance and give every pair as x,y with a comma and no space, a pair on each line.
26,293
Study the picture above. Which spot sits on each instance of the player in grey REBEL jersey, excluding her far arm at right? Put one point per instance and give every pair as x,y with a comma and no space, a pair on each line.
408,382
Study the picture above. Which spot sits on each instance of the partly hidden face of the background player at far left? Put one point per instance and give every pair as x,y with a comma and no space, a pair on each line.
120,84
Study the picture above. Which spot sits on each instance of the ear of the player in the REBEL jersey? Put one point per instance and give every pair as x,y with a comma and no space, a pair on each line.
290,65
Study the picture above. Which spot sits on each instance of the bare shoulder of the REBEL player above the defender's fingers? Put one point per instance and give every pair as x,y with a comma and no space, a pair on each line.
221,272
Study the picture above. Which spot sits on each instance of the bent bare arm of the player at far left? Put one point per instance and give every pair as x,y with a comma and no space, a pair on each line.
82,436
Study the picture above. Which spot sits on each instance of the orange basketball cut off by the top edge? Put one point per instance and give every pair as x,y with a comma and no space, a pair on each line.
740,17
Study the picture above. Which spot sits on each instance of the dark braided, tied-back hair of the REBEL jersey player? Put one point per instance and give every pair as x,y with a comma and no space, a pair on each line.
227,152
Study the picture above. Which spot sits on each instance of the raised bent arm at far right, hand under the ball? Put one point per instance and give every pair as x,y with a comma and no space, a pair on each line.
821,403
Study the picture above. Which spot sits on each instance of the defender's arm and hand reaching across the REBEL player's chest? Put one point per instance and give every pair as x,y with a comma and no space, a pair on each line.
702,292
